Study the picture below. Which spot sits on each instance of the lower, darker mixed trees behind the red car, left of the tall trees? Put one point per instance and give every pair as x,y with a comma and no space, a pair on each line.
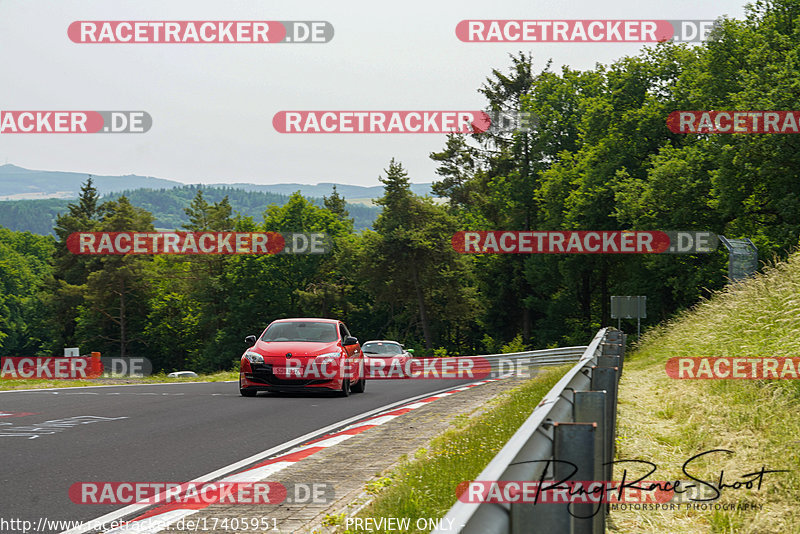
402,280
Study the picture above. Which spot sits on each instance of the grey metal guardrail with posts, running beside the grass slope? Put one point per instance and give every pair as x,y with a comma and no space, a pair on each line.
586,398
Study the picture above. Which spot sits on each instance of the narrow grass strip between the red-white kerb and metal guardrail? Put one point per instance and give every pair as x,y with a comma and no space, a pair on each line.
425,486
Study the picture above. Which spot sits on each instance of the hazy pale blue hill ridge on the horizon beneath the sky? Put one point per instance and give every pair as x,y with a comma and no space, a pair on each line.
17,183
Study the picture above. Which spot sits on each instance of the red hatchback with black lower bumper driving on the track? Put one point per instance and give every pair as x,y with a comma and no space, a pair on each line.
301,354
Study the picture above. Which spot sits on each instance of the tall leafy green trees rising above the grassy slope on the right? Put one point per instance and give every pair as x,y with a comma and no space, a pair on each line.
602,158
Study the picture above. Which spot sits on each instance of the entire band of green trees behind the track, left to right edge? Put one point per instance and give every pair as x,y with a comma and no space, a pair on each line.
601,158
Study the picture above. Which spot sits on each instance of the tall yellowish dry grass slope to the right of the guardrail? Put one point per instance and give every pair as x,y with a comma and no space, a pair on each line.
667,421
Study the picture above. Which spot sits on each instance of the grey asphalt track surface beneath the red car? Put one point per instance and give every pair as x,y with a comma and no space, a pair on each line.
159,433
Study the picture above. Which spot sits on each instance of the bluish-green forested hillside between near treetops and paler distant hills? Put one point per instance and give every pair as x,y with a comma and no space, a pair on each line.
167,205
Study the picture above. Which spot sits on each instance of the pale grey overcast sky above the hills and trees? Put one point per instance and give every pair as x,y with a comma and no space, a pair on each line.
212,104
